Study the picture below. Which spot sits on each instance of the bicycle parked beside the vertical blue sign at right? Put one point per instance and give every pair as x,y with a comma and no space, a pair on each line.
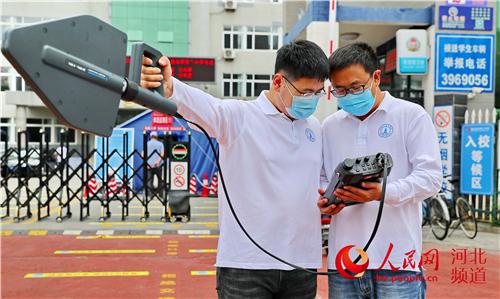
445,216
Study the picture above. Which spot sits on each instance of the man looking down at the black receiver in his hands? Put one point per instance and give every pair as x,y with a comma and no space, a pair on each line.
373,121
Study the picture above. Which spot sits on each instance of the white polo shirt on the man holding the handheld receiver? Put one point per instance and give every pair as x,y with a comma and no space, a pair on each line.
405,131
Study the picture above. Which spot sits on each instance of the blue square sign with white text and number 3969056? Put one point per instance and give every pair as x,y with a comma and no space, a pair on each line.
464,61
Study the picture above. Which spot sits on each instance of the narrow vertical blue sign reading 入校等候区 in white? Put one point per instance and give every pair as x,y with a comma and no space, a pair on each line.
477,157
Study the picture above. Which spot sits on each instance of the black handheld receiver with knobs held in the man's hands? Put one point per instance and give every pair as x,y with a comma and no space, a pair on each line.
353,172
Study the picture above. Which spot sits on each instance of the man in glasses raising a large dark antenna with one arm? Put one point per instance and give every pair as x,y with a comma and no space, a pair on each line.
270,154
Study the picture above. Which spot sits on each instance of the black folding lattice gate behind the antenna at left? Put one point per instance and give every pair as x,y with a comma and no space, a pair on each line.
39,175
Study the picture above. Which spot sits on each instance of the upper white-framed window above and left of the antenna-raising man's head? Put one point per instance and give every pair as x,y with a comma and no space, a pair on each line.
252,37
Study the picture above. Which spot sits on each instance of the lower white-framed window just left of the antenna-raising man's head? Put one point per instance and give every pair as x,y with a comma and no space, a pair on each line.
248,85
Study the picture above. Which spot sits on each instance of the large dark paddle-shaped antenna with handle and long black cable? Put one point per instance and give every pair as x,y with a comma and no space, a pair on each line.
76,66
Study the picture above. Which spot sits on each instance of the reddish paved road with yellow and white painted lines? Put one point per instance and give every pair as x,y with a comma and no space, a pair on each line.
90,259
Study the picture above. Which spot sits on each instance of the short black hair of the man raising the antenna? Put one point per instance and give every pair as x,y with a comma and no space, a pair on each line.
302,59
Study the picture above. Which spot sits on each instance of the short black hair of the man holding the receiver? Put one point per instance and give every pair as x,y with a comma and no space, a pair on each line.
356,53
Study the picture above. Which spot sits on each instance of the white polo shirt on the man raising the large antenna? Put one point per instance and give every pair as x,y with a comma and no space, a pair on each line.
272,170
